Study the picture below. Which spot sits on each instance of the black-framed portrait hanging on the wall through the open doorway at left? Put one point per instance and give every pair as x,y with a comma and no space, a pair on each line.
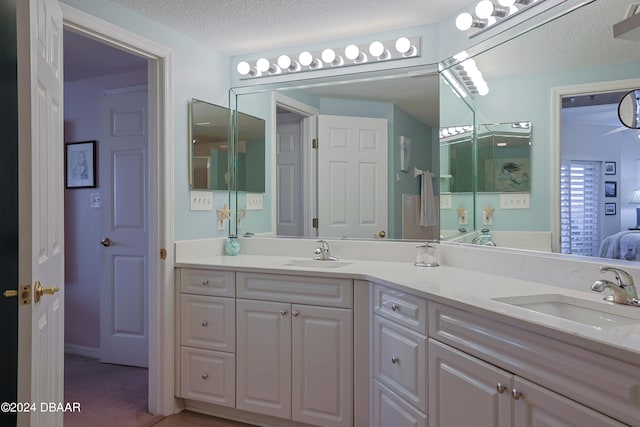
80,164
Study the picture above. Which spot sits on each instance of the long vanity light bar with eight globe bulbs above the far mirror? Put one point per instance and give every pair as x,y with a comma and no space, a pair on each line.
352,54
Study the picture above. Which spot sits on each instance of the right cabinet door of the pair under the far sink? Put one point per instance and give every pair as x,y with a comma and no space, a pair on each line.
322,369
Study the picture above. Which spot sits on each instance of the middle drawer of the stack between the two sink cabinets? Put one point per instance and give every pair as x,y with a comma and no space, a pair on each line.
400,361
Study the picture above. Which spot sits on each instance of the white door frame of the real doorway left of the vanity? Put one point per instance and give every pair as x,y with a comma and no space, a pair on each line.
160,195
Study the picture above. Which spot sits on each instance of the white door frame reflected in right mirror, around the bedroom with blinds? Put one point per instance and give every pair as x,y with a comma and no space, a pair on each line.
557,93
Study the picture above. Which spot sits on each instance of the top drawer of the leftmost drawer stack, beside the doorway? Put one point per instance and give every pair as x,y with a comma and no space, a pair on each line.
207,282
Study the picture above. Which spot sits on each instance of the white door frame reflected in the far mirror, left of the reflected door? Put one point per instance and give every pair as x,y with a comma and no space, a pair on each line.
309,126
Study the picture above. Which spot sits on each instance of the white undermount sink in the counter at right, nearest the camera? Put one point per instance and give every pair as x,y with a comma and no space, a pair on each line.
596,314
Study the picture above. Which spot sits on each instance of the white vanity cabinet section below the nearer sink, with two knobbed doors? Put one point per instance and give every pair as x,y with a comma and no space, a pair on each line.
498,375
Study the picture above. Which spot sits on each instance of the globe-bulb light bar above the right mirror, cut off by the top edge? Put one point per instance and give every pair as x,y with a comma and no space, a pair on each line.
488,13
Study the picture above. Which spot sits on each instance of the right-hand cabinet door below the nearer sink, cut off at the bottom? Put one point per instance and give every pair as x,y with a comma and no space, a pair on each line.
538,406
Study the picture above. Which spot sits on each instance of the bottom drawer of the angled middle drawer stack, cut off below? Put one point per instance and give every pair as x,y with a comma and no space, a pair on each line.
390,410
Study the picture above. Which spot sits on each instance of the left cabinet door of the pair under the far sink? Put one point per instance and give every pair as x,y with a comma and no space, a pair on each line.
263,357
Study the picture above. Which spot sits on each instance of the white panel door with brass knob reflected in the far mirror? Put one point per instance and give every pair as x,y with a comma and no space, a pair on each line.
352,176
